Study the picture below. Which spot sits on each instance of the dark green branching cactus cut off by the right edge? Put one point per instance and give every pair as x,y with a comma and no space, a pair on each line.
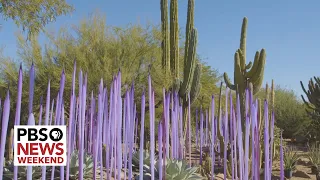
313,95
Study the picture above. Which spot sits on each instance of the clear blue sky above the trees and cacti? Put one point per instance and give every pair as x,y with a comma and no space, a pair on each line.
288,30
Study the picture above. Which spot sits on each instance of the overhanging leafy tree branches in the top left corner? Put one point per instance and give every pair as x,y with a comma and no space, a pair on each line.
33,15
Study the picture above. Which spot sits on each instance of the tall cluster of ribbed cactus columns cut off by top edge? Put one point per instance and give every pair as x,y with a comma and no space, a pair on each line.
170,50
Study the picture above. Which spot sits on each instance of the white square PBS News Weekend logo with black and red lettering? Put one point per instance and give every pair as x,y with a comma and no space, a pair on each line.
40,145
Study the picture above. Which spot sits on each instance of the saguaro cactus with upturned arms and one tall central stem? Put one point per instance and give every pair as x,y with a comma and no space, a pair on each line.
244,74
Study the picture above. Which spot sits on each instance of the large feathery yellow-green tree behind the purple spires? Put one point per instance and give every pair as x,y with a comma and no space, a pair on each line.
99,50
